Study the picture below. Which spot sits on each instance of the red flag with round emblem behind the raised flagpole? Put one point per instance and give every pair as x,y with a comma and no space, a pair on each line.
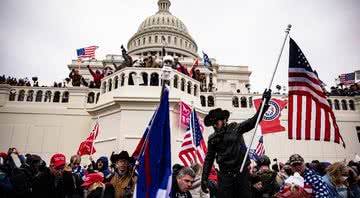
271,122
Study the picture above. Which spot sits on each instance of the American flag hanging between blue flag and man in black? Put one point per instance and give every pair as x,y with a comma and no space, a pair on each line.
193,148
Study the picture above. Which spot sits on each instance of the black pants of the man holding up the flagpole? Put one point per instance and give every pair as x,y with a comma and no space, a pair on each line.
233,184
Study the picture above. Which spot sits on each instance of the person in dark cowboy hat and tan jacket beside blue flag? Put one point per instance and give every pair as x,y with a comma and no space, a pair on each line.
124,179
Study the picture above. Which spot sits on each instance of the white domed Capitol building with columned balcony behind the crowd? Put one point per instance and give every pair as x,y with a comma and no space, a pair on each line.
47,120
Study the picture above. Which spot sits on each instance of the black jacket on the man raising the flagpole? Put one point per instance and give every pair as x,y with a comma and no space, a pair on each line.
227,145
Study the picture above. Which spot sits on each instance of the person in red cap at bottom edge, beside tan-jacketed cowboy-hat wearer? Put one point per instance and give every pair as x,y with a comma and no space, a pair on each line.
95,188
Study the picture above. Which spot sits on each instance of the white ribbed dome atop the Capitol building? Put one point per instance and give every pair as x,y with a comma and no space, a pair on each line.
162,29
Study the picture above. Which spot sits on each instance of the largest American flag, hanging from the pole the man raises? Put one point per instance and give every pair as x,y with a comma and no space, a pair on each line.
310,116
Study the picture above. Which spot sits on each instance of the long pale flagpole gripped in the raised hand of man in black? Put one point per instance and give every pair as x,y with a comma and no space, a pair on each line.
263,104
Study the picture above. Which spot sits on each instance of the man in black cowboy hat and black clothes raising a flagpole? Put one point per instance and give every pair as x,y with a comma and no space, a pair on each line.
227,145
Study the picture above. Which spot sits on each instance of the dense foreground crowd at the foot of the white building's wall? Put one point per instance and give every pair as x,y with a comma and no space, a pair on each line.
30,176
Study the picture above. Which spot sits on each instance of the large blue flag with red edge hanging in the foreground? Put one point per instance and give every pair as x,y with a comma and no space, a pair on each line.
154,178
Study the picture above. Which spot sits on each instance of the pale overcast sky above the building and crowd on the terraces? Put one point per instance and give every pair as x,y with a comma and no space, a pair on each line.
40,37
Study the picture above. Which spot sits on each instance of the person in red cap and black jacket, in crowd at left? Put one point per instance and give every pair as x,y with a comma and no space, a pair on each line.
57,181
